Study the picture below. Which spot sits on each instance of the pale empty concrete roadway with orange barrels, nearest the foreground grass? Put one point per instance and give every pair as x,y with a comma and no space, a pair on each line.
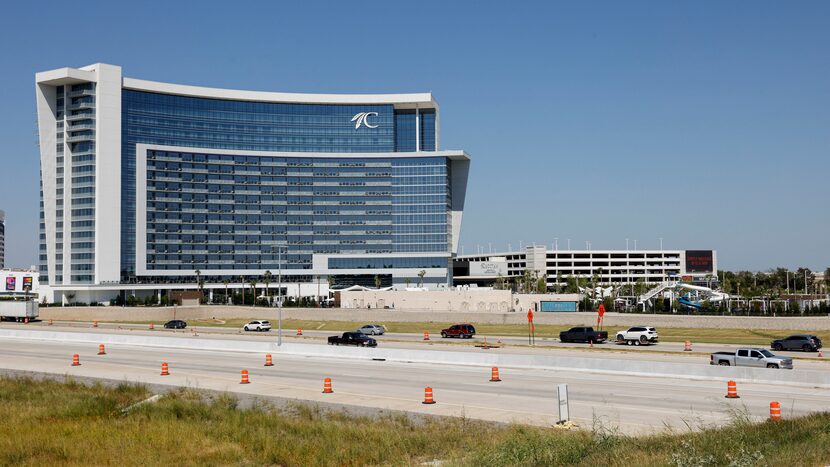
632,404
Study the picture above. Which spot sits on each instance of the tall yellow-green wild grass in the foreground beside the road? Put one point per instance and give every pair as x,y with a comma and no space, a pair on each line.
69,423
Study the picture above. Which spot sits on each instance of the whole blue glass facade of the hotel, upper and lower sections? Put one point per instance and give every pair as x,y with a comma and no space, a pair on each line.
229,211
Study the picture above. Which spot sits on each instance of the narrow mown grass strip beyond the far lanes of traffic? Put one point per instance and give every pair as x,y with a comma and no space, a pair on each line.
713,336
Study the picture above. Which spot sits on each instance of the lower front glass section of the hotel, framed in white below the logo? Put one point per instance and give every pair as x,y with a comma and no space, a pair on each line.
212,211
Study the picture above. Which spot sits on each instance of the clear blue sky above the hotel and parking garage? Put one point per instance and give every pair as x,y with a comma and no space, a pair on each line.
706,124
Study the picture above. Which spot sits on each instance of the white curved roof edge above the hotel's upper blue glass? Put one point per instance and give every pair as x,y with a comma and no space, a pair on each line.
399,100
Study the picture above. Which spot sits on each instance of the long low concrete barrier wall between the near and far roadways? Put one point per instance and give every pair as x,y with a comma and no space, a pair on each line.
810,378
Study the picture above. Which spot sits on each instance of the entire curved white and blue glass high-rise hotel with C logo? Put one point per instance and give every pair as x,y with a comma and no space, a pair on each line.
145,185
